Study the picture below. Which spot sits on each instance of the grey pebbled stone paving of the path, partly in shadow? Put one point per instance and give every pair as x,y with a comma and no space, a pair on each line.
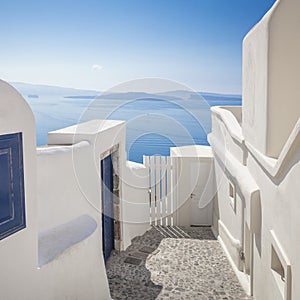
173,263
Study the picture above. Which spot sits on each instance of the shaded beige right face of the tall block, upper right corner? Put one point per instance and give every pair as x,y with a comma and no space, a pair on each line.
284,74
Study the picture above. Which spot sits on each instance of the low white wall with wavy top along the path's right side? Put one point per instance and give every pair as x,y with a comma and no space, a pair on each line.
235,212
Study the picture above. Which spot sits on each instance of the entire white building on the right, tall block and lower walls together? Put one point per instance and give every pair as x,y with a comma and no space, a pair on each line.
265,223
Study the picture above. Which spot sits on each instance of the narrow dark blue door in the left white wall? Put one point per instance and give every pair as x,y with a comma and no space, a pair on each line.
107,206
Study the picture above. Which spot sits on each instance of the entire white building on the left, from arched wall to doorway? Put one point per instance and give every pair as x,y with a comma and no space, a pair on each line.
58,253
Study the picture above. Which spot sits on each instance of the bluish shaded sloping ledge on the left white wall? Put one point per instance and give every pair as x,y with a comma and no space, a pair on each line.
53,242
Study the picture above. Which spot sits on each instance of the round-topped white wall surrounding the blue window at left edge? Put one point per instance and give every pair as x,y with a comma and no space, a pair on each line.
18,252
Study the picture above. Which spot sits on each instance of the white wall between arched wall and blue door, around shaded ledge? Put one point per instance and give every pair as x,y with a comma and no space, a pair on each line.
61,200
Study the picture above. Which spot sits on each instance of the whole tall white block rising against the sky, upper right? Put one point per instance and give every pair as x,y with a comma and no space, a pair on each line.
271,72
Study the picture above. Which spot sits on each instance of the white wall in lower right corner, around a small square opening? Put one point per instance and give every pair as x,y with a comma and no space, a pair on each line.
280,228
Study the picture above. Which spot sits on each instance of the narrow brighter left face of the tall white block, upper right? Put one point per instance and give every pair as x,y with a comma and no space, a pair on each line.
255,92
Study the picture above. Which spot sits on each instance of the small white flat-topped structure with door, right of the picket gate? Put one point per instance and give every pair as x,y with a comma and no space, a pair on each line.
193,188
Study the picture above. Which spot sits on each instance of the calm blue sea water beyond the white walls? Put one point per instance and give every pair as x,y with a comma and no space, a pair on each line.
154,124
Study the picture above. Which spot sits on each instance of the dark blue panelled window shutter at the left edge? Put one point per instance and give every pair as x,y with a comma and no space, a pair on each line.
12,202
